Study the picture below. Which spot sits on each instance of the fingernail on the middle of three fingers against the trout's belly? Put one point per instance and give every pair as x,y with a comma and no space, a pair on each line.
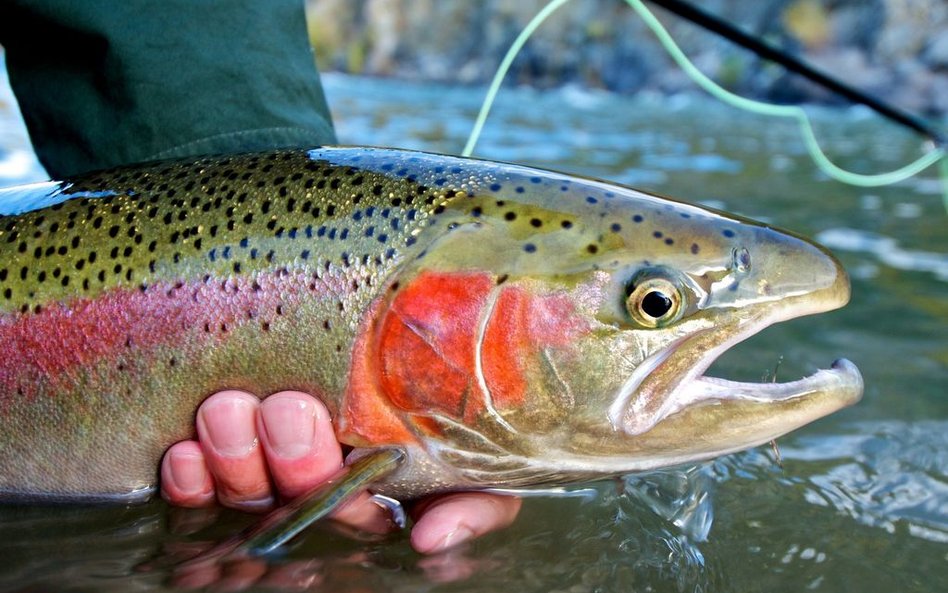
229,426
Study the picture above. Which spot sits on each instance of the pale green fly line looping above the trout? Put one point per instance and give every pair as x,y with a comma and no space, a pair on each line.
786,111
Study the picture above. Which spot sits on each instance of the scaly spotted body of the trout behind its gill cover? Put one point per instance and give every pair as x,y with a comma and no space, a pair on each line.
210,229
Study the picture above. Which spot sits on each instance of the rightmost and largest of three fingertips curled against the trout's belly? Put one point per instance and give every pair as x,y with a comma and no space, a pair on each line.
298,442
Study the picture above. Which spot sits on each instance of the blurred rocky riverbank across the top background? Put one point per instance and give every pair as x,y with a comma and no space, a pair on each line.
894,49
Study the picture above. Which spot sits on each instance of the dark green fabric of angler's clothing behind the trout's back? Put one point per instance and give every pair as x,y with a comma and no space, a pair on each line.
105,82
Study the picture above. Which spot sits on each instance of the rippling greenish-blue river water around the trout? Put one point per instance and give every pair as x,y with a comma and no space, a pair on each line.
858,502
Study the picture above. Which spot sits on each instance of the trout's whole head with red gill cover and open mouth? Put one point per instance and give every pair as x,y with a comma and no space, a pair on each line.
538,340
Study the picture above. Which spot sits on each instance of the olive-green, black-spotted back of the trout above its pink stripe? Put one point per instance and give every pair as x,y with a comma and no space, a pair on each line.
206,219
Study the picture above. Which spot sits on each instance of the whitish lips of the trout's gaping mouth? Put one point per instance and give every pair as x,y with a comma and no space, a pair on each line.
648,398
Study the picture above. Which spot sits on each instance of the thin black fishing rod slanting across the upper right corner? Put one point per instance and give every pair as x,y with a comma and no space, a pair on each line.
719,26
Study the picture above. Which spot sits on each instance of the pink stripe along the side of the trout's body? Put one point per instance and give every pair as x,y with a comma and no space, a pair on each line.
49,344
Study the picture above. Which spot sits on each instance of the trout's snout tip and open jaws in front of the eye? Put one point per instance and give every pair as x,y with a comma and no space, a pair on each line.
785,278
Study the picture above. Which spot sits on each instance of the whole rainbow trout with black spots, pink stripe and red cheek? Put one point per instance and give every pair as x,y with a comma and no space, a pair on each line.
498,325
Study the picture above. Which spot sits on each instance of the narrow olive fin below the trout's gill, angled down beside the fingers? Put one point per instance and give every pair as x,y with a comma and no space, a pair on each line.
284,523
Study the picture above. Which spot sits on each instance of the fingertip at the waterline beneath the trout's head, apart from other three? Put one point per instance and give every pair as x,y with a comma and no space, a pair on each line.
449,520
